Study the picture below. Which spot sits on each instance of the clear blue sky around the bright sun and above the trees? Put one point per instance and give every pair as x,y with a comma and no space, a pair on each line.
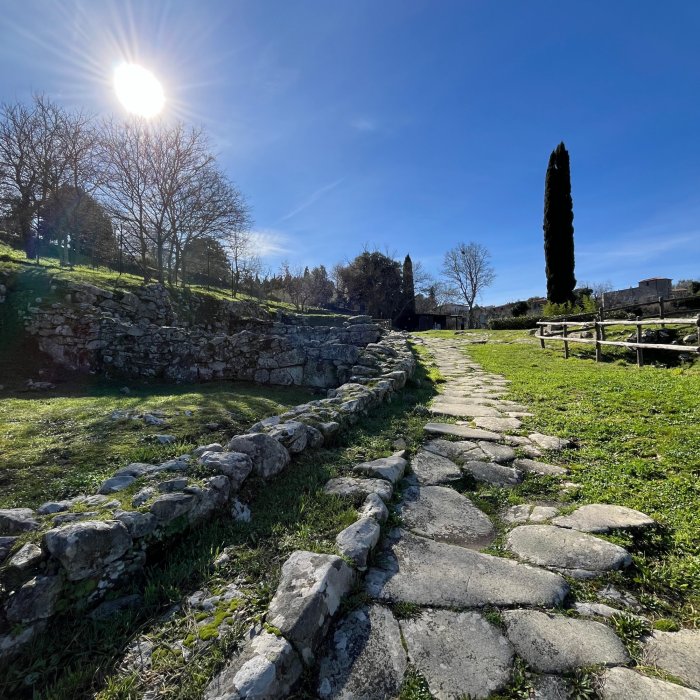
413,125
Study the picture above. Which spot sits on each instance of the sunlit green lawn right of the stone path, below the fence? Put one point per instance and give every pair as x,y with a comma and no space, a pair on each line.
638,445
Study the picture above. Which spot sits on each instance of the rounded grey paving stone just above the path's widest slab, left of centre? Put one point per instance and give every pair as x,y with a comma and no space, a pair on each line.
444,515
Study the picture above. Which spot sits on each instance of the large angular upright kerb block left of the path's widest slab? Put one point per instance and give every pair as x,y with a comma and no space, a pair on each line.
308,595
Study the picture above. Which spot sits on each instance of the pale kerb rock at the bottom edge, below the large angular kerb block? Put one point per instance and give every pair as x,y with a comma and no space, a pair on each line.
266,669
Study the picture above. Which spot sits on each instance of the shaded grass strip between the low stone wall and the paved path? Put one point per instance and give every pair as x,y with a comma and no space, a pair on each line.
81,658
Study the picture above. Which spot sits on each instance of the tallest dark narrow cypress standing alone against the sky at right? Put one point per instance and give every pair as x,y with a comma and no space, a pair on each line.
559,228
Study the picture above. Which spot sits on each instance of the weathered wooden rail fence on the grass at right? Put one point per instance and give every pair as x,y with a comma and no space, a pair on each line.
599,326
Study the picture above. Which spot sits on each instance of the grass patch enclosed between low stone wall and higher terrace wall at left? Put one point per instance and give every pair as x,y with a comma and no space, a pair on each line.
63,442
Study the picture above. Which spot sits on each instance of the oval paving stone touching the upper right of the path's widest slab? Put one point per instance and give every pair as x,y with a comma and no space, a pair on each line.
574,552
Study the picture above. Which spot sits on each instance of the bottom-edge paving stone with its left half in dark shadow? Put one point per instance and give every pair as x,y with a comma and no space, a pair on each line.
363,657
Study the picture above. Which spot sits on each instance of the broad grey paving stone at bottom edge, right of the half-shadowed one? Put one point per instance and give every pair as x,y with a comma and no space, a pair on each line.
458,654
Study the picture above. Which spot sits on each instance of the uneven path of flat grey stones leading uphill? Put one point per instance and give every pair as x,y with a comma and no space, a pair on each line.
460,616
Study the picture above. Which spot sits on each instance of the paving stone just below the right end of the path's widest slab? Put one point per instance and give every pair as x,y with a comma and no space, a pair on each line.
557,644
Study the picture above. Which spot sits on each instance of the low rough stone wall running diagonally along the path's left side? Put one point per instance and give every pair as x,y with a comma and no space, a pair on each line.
70,555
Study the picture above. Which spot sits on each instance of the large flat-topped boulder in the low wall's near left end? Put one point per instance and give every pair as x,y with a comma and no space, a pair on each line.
85,548
